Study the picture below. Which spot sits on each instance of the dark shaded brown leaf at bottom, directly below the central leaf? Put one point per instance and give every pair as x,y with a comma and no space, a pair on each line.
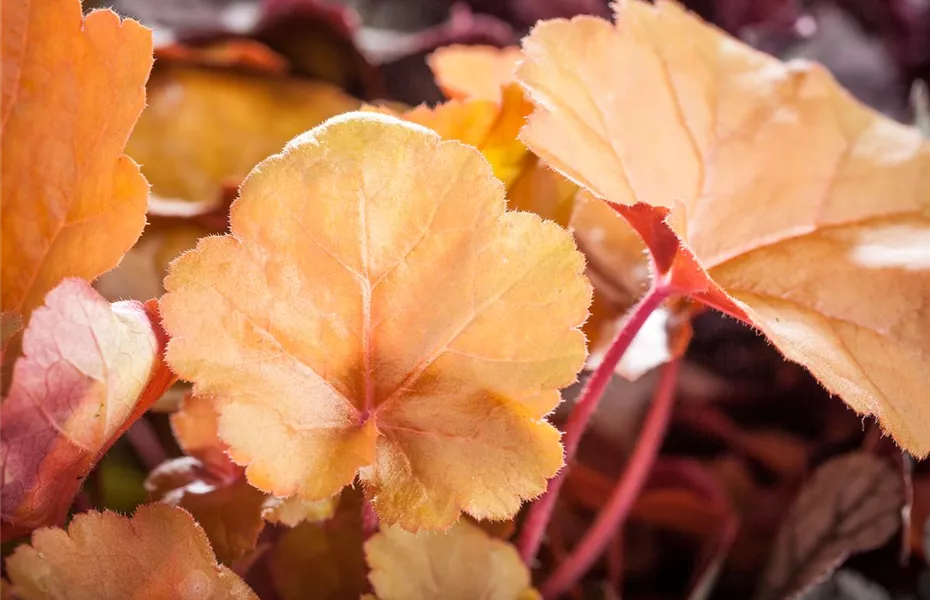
322,561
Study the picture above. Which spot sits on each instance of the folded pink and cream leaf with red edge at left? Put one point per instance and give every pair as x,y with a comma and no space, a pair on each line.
90,369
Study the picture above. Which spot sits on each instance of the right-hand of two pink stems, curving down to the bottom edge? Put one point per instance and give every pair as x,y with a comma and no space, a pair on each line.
625,492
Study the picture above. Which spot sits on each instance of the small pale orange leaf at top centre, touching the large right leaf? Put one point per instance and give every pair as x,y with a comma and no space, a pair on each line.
475,72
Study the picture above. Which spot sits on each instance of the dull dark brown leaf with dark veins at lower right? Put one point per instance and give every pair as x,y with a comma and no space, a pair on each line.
850,504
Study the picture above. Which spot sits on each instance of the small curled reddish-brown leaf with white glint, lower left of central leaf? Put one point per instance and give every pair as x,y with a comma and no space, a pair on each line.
230,512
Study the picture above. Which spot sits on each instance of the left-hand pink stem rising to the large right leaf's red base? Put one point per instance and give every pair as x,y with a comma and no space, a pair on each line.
540,513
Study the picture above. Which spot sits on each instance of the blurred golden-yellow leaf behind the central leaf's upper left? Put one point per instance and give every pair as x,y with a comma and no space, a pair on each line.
205,127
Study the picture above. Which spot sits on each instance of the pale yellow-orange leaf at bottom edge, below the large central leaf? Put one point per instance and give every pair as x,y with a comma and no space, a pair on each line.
459,564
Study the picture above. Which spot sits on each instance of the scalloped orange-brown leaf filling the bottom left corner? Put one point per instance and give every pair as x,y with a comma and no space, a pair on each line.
160,553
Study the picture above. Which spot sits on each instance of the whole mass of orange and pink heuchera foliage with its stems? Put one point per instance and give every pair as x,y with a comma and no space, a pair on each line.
363,339
